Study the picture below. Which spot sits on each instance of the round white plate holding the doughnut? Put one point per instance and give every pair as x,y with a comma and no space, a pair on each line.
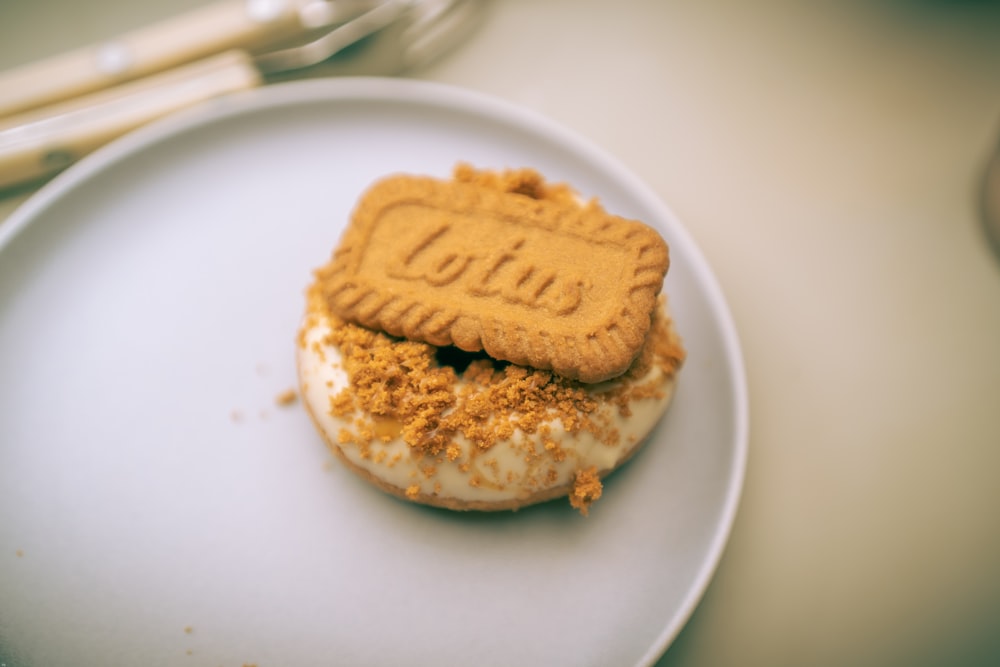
157,507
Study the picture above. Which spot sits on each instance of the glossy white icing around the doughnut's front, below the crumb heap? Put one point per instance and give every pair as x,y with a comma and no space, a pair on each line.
512,470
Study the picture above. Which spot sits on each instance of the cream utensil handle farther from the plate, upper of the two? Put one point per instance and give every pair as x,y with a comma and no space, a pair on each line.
244,24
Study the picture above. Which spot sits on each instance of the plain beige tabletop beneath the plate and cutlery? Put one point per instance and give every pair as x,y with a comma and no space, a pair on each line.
827,159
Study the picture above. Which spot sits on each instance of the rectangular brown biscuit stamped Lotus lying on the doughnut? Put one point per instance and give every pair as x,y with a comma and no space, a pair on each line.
502,263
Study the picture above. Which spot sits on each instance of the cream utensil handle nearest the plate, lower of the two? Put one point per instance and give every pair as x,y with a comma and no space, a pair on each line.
40,143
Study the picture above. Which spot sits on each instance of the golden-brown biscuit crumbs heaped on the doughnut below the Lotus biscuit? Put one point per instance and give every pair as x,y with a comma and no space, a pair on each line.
428,394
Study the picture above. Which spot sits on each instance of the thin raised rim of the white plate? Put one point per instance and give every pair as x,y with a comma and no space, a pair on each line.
448,96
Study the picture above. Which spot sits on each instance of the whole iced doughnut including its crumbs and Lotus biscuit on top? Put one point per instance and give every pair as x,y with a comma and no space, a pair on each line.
489,341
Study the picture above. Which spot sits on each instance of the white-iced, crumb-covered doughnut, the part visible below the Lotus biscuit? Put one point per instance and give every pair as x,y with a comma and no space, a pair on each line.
409,418
